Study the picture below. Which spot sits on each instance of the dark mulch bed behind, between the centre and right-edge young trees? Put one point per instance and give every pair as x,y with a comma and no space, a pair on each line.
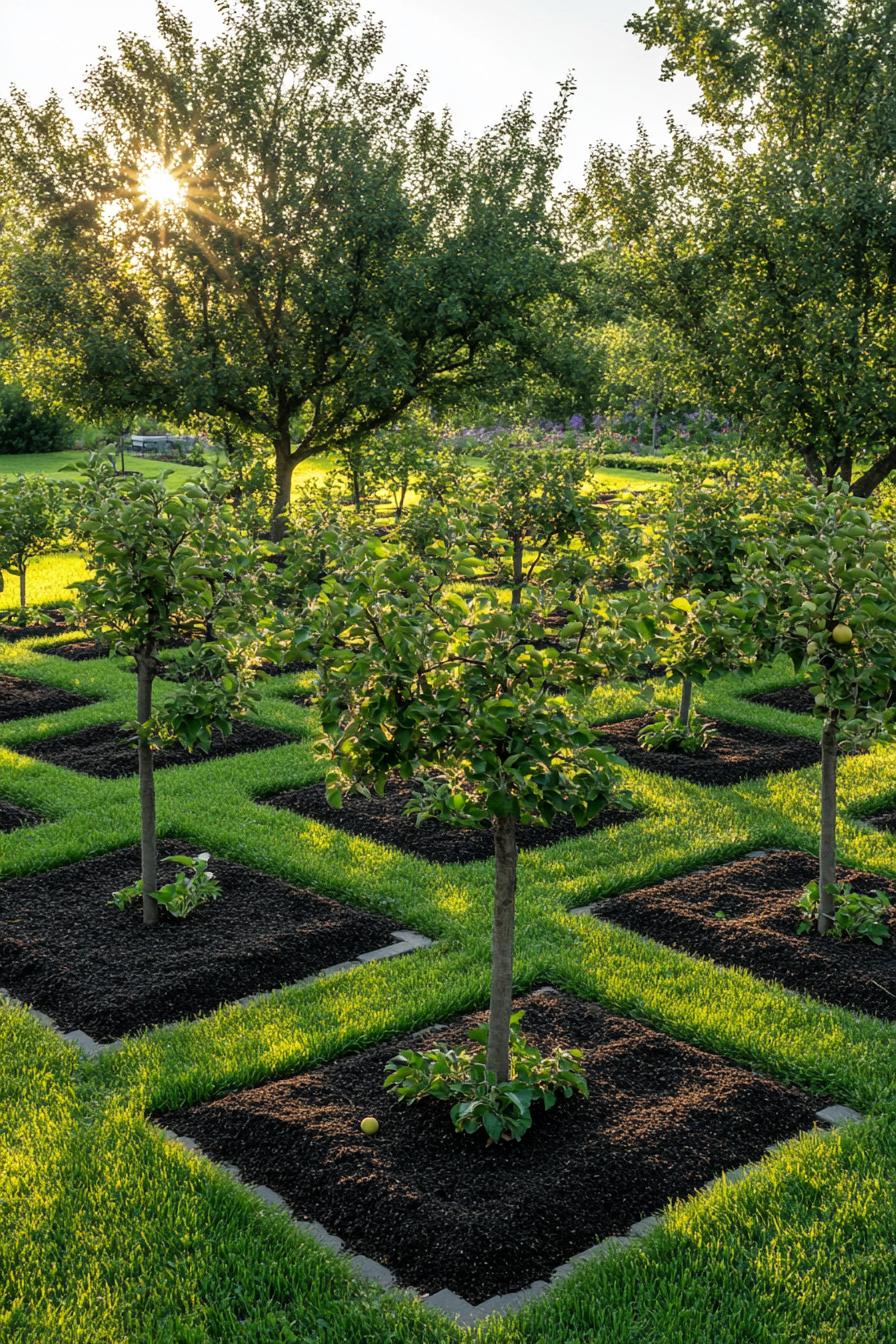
737,753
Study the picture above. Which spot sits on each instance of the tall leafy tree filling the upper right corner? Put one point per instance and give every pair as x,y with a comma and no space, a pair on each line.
769,240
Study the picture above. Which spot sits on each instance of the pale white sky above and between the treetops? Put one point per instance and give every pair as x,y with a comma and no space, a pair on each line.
480,56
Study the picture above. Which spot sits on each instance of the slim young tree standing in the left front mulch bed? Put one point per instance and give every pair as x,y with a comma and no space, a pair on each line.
171,569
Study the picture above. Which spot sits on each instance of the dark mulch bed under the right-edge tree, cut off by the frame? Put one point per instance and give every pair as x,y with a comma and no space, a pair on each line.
758,897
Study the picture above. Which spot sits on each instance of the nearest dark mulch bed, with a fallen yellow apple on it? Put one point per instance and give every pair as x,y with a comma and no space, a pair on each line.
445,1210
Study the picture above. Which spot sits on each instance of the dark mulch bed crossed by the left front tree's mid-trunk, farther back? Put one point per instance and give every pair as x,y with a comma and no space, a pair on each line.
108,753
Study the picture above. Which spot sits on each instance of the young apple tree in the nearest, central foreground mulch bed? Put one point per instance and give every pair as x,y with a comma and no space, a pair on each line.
456,694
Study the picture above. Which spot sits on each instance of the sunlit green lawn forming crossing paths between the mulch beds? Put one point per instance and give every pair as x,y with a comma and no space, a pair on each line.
108,1236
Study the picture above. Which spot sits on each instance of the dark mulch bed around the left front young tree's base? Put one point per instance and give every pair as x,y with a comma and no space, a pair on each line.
65,950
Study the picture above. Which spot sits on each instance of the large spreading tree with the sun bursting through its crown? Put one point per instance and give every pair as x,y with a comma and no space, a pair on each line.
260,230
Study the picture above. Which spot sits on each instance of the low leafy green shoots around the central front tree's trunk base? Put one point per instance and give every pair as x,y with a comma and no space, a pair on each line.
479,1101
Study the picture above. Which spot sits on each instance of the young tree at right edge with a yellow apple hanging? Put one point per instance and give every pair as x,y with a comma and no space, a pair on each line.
831,599
